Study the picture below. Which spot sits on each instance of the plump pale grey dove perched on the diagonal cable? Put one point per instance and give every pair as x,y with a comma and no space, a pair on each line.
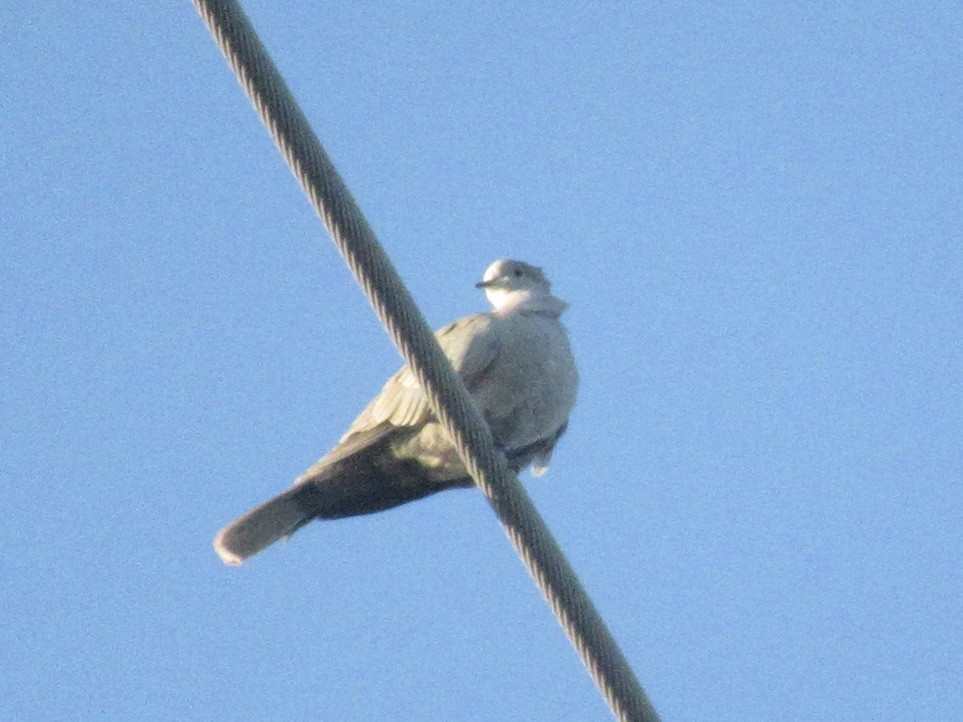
517,364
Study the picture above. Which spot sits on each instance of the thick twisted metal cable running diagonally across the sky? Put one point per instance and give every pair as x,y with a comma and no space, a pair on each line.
446,392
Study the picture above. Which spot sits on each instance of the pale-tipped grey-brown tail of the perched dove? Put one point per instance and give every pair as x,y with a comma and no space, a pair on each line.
262,526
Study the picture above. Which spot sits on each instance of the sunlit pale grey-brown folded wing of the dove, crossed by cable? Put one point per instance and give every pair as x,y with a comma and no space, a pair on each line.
472,344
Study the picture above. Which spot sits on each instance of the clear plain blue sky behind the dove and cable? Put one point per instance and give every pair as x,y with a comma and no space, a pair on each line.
755,211
